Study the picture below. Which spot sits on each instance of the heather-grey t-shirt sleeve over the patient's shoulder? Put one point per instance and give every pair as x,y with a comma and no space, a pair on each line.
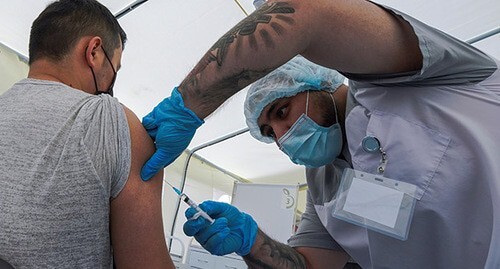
108,141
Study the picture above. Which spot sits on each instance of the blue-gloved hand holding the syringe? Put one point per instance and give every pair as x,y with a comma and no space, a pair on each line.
232,231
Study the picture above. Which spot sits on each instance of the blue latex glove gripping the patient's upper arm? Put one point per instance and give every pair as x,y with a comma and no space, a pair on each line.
172,126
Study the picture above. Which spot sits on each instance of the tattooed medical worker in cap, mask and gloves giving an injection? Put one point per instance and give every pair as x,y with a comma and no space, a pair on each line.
417,184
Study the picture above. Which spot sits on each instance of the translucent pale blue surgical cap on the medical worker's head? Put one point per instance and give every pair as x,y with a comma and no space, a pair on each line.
295,76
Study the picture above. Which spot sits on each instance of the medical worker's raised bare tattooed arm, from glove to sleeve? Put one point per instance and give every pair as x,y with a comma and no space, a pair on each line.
353,36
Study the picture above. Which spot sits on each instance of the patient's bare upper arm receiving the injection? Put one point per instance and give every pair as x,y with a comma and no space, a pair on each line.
136,220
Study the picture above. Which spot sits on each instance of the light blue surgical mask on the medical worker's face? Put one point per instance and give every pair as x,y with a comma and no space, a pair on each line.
310,144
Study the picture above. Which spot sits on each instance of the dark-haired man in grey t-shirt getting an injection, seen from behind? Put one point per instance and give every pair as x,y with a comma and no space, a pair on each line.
70,190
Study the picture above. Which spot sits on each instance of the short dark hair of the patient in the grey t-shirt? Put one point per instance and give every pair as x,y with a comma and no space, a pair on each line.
57,29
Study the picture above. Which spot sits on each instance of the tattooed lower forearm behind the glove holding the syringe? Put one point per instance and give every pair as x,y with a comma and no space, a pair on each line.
267,253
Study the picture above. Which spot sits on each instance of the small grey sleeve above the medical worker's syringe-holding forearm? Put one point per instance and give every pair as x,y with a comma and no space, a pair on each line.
311,232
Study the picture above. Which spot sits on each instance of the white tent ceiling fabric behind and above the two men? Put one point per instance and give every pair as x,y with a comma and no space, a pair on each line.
166,38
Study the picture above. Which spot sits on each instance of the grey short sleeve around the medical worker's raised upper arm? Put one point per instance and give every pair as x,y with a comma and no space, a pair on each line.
446,60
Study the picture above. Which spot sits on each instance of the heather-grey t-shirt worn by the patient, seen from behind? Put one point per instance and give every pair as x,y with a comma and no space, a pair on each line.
64,155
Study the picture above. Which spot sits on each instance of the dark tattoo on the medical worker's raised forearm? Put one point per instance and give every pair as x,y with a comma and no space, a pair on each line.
274,15
